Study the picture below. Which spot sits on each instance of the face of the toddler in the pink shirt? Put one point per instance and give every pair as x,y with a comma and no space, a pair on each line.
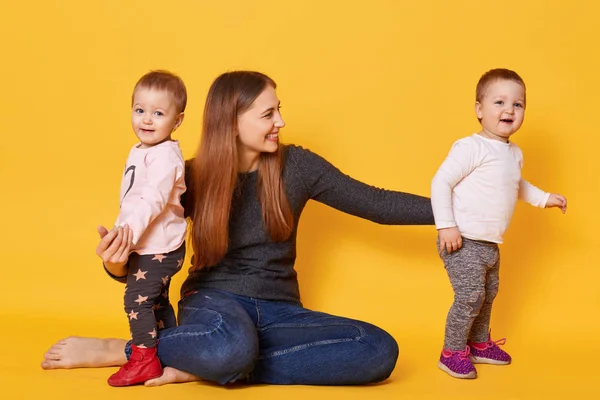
154,116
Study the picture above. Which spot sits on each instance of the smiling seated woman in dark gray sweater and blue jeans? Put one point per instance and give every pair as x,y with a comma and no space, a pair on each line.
240,316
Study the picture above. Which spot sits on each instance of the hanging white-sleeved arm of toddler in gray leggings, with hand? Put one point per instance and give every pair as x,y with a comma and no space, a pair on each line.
461,161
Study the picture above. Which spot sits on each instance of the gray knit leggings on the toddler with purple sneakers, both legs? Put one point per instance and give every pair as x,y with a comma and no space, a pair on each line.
473,272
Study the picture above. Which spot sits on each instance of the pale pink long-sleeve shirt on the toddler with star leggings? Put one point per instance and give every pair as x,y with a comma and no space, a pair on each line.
152,185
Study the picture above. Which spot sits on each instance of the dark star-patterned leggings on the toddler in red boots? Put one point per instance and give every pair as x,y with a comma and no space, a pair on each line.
147,294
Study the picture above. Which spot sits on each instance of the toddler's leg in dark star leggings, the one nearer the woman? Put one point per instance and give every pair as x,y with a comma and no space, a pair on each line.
163,310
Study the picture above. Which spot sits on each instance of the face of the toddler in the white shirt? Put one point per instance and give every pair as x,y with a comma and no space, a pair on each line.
502,109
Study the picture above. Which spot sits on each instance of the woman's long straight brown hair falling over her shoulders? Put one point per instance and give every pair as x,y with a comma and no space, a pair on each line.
215,170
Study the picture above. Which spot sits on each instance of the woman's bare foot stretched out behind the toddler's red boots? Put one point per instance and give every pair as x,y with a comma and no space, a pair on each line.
79,352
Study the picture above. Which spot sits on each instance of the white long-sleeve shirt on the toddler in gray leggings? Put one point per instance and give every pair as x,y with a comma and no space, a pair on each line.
476,188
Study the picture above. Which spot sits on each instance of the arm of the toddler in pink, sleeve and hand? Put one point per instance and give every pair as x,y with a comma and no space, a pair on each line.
162,171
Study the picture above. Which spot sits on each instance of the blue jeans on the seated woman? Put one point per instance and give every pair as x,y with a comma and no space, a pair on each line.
223,337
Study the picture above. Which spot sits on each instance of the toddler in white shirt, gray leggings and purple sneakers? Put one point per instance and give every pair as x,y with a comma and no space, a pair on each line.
473,195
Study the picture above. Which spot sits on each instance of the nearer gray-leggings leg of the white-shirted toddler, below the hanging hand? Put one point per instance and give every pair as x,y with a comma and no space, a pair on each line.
466,269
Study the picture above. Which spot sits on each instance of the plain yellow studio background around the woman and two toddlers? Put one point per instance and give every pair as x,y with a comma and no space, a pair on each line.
379,88
